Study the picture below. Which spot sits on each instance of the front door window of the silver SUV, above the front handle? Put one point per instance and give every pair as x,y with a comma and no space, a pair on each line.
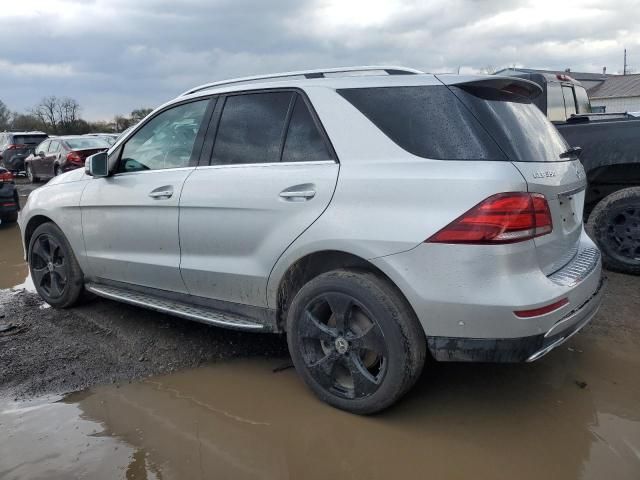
166,141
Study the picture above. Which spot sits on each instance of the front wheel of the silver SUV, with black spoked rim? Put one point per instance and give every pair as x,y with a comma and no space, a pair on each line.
53,266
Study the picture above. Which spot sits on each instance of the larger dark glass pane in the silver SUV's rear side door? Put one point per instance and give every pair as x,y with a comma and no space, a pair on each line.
251,128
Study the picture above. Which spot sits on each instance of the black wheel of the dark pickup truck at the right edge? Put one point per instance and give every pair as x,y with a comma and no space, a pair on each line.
614,224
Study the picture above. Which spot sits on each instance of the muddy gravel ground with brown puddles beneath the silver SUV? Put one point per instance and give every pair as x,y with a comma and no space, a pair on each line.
160,397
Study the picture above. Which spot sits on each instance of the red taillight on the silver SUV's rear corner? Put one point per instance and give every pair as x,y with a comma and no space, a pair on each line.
502,218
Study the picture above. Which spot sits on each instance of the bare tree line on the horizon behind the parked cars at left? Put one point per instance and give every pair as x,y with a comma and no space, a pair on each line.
61,116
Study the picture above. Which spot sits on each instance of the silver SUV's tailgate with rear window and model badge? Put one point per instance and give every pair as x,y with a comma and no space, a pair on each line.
535,146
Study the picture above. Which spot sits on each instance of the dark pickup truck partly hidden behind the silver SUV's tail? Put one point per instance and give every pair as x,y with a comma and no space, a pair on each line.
611,157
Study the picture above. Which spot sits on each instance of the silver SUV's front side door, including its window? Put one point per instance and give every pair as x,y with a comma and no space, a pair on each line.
130,219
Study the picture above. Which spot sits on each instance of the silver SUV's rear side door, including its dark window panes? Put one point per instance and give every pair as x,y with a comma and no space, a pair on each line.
269,174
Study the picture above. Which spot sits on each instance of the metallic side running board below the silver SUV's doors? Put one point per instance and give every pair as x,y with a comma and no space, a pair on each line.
172,307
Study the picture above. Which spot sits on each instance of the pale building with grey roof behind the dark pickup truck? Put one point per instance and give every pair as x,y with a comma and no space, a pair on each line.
618,93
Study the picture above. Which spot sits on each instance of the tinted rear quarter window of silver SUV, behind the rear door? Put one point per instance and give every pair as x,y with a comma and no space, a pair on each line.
427,121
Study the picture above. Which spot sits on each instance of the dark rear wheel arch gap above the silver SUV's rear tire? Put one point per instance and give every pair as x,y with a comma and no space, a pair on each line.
309,266
